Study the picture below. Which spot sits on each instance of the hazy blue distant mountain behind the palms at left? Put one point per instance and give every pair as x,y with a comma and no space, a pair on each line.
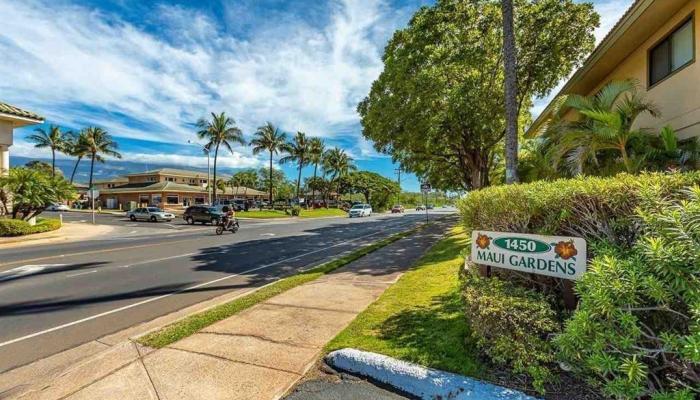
109,169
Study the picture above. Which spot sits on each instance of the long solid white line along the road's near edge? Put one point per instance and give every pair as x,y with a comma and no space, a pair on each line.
140,303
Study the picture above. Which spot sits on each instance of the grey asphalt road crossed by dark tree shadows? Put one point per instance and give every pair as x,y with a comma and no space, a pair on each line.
55,297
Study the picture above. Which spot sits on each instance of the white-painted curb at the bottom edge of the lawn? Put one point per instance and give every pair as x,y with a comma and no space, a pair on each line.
424,383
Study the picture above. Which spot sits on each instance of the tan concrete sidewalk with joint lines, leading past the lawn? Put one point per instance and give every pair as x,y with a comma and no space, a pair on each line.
257,354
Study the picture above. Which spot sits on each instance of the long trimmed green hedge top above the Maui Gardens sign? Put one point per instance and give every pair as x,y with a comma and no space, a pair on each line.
597,209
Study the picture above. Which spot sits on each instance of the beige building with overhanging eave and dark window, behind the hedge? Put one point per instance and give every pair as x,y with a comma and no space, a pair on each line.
655,44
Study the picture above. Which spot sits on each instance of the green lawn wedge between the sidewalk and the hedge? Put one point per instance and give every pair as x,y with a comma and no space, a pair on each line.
420,319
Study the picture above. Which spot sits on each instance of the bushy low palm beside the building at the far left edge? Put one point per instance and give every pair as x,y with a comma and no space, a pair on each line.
31,189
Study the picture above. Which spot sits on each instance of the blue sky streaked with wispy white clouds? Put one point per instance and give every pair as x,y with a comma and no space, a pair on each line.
146,71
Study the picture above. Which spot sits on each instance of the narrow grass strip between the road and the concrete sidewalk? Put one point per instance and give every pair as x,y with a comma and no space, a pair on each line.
193,323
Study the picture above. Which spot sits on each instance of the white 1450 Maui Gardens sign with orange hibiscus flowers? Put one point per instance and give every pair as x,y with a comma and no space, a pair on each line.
557,256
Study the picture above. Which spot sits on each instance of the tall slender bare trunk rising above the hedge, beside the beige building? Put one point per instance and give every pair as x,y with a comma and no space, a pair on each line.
511,93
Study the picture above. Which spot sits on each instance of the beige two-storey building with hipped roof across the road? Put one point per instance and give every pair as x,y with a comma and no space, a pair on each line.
167,188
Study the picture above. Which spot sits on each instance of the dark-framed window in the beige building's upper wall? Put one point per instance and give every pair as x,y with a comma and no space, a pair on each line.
673,53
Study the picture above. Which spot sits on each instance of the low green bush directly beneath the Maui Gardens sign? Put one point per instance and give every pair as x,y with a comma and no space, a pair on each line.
511,325
